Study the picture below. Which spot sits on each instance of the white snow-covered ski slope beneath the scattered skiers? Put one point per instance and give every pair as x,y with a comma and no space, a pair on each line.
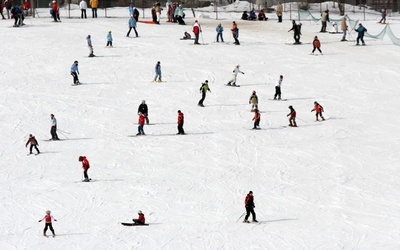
323,185
